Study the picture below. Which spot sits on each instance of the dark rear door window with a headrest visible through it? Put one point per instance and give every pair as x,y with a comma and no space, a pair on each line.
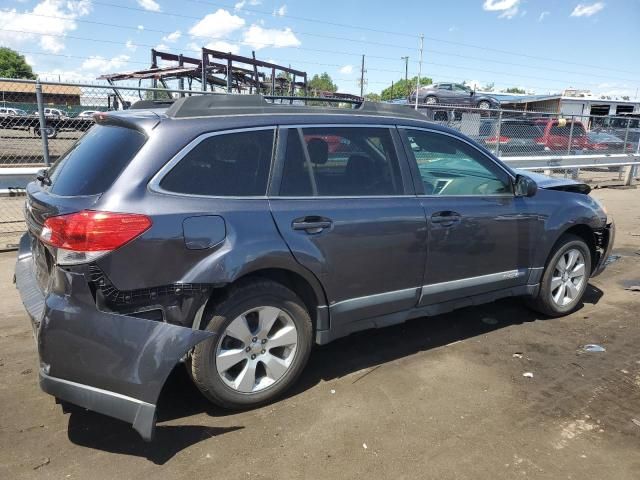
340,162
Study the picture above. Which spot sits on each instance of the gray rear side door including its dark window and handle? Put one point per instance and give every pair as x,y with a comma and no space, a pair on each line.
344,203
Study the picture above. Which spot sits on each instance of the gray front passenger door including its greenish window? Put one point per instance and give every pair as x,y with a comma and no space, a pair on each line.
479,232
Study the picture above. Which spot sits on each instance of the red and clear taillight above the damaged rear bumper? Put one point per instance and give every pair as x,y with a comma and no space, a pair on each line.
84,236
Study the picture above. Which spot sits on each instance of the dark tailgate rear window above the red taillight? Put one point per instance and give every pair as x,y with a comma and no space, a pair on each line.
95,160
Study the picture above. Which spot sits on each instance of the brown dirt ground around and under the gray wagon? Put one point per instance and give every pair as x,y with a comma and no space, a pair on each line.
442,397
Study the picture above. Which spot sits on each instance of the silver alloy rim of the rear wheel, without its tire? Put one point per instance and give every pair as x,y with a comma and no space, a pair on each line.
257,349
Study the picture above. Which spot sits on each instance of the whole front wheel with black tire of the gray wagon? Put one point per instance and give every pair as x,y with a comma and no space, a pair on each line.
554,299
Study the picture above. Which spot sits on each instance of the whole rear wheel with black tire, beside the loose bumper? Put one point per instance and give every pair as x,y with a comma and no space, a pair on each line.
247,367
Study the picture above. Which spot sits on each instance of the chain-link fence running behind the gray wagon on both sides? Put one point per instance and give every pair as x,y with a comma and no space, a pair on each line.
39,122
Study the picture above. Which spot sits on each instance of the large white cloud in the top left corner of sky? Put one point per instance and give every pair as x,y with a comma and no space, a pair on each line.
48,32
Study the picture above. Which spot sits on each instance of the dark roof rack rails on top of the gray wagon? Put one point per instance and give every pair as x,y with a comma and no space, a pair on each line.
227,104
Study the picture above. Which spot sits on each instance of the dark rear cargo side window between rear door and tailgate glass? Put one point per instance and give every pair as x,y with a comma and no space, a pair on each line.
231,164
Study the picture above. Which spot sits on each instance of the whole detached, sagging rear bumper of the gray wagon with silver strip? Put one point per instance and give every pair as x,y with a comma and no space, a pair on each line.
109,363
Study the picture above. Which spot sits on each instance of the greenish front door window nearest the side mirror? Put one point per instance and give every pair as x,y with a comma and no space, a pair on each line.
449,166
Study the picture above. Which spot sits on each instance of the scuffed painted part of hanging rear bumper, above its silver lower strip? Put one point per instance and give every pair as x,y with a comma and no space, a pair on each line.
131,356
